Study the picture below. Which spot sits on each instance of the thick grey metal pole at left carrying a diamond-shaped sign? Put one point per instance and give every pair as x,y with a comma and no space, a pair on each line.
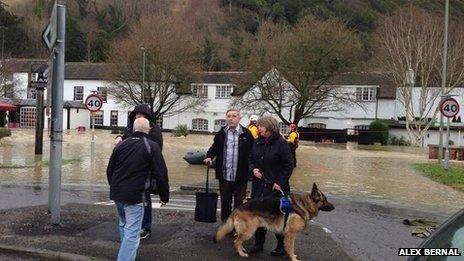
57,118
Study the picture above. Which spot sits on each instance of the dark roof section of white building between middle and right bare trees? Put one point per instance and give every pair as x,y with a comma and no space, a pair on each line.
387,88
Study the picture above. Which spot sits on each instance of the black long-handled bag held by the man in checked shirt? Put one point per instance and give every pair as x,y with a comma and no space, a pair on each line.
206,203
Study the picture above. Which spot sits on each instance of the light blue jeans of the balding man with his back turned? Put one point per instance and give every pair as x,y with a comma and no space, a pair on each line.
130,222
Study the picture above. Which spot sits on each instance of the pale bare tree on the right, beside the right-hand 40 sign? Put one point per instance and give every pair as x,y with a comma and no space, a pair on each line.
412,39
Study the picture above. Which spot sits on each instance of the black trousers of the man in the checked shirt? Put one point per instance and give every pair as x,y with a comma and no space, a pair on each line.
229,190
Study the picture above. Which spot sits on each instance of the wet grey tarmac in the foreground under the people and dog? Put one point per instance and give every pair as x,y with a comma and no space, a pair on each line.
355,230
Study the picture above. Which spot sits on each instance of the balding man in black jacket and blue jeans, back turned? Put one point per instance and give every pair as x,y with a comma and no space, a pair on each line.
129,169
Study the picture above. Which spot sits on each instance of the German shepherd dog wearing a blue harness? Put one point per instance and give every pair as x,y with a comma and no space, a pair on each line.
265,212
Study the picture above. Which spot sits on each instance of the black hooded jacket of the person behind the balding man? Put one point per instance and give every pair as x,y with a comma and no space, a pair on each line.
155,131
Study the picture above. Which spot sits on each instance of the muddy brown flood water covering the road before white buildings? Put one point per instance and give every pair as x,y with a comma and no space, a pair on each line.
382,174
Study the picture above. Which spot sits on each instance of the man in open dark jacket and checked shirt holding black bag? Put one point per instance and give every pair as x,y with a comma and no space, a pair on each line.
231,148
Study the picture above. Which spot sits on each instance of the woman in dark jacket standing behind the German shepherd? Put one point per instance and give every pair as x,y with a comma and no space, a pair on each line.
271,165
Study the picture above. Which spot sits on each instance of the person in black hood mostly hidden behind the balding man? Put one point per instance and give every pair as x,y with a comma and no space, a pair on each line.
143,110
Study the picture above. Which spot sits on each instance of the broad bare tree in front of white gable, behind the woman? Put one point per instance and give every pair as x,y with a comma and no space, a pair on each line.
292,69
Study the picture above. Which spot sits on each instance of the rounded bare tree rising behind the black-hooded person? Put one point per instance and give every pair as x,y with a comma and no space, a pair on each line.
170,66
